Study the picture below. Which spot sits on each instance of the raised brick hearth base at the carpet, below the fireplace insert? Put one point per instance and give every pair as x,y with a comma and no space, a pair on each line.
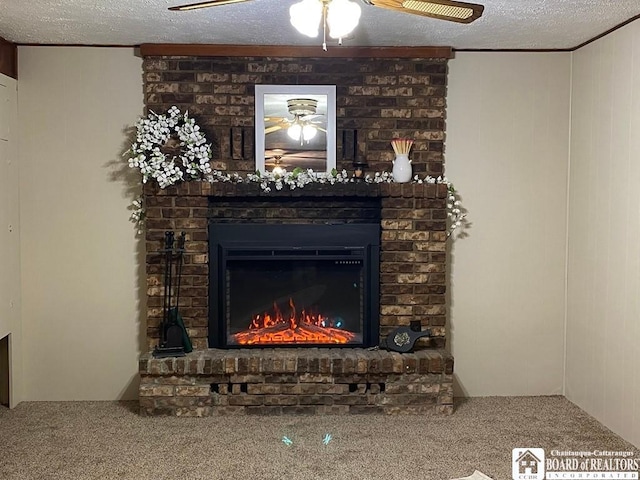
303,381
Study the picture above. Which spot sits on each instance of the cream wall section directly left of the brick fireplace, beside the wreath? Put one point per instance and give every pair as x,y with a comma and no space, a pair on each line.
82,299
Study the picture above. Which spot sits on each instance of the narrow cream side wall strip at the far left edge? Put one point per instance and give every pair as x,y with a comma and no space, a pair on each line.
10,302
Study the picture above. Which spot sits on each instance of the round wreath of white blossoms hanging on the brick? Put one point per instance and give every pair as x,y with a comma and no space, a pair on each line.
169,148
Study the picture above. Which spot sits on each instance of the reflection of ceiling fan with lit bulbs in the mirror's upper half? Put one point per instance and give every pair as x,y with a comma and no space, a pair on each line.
302,127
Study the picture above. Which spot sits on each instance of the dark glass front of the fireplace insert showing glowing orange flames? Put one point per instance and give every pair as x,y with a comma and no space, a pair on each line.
294,300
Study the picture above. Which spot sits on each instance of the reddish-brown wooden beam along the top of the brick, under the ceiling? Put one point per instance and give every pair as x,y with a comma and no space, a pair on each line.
208,50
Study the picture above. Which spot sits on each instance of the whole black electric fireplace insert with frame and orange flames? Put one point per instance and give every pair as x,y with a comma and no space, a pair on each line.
296,285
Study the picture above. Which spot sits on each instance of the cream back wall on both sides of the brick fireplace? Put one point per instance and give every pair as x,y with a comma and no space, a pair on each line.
507,132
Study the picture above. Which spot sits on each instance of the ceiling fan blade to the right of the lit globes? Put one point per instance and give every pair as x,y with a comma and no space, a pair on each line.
461,12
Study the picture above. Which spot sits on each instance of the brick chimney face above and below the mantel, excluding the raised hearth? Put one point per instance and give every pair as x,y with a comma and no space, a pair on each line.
382,99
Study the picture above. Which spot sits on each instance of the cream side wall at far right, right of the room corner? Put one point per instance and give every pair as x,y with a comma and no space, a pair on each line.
603,321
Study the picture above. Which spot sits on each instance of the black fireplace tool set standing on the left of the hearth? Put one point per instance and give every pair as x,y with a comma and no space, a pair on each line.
174,339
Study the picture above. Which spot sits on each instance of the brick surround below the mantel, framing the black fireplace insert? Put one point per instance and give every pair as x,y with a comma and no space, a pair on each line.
412,263
